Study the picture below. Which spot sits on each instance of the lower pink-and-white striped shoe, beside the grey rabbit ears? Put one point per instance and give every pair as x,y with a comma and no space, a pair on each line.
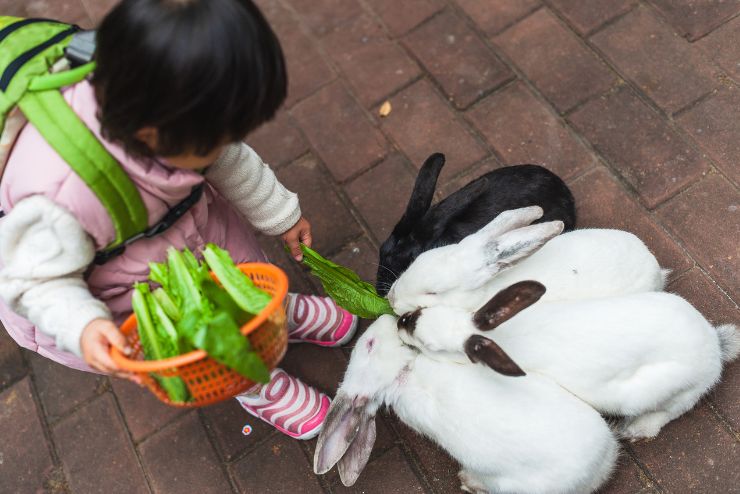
291,406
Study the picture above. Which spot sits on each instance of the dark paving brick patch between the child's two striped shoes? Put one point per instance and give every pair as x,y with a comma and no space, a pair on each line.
317,366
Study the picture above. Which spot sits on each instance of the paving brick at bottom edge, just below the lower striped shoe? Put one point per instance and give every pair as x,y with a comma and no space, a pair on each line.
277,466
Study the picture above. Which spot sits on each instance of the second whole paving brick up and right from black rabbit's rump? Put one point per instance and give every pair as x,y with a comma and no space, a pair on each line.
647,152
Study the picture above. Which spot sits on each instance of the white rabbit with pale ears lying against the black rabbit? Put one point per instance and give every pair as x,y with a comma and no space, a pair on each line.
580,264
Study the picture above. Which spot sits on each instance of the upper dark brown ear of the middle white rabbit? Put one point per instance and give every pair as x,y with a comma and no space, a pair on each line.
507,303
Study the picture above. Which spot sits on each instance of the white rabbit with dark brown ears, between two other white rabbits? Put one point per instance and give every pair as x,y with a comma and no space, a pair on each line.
649,356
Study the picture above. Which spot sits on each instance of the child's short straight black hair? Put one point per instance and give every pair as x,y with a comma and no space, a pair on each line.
202,72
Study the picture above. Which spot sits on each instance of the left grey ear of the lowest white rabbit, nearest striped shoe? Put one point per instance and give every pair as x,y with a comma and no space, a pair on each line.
339,430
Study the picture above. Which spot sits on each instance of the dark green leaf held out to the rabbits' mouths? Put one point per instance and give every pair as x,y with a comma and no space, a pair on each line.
345,287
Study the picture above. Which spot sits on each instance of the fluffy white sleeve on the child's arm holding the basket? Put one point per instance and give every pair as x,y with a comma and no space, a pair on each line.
44,252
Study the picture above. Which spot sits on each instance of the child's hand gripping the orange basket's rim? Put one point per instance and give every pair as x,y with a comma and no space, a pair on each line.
95,342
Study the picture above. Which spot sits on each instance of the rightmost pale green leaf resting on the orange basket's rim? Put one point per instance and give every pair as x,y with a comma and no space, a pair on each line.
241,288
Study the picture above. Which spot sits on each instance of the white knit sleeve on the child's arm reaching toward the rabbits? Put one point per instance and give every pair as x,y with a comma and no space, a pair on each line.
252,187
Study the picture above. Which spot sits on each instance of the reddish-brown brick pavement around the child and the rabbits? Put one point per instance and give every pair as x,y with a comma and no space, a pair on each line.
634,103
